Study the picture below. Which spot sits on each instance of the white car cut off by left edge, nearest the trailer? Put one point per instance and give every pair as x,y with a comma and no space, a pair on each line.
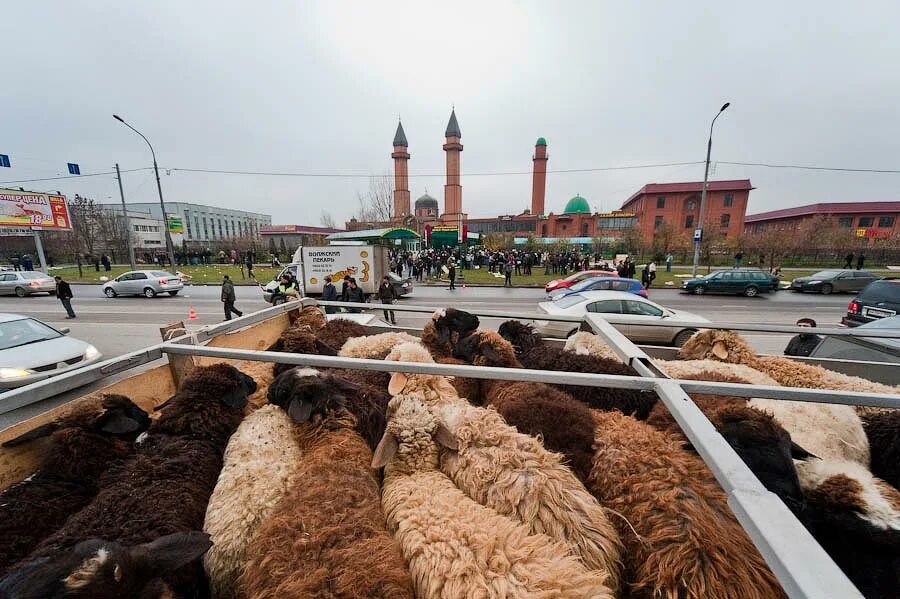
31,350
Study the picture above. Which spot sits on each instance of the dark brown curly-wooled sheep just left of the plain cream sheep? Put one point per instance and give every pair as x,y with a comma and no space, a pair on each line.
165,487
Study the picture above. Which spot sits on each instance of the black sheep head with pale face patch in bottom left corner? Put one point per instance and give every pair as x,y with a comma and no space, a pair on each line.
106,570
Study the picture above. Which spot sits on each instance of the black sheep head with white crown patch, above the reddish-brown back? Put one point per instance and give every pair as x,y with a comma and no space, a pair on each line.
309,396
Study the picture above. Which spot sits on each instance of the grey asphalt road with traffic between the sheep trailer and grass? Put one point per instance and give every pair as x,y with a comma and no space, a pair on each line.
119,325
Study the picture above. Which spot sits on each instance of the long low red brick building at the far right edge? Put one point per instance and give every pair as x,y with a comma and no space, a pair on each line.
868,219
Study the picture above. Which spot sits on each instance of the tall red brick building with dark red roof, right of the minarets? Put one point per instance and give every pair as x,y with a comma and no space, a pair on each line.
679,204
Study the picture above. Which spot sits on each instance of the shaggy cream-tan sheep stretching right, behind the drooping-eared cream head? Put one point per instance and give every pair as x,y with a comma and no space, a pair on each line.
511,472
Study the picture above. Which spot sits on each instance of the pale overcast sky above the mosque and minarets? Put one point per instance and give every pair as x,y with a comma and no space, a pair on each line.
259,86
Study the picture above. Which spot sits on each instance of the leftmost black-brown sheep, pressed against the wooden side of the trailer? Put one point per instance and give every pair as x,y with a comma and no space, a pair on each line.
82,446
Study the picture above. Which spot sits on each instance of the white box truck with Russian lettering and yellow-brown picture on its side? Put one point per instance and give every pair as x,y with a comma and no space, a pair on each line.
311,264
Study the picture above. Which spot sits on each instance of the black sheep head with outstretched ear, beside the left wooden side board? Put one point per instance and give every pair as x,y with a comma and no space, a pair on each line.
116,415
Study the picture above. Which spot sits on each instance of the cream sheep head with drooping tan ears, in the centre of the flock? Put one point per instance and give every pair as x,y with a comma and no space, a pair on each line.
413,433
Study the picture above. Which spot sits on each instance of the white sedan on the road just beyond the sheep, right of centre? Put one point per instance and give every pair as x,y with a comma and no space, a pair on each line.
630,310
